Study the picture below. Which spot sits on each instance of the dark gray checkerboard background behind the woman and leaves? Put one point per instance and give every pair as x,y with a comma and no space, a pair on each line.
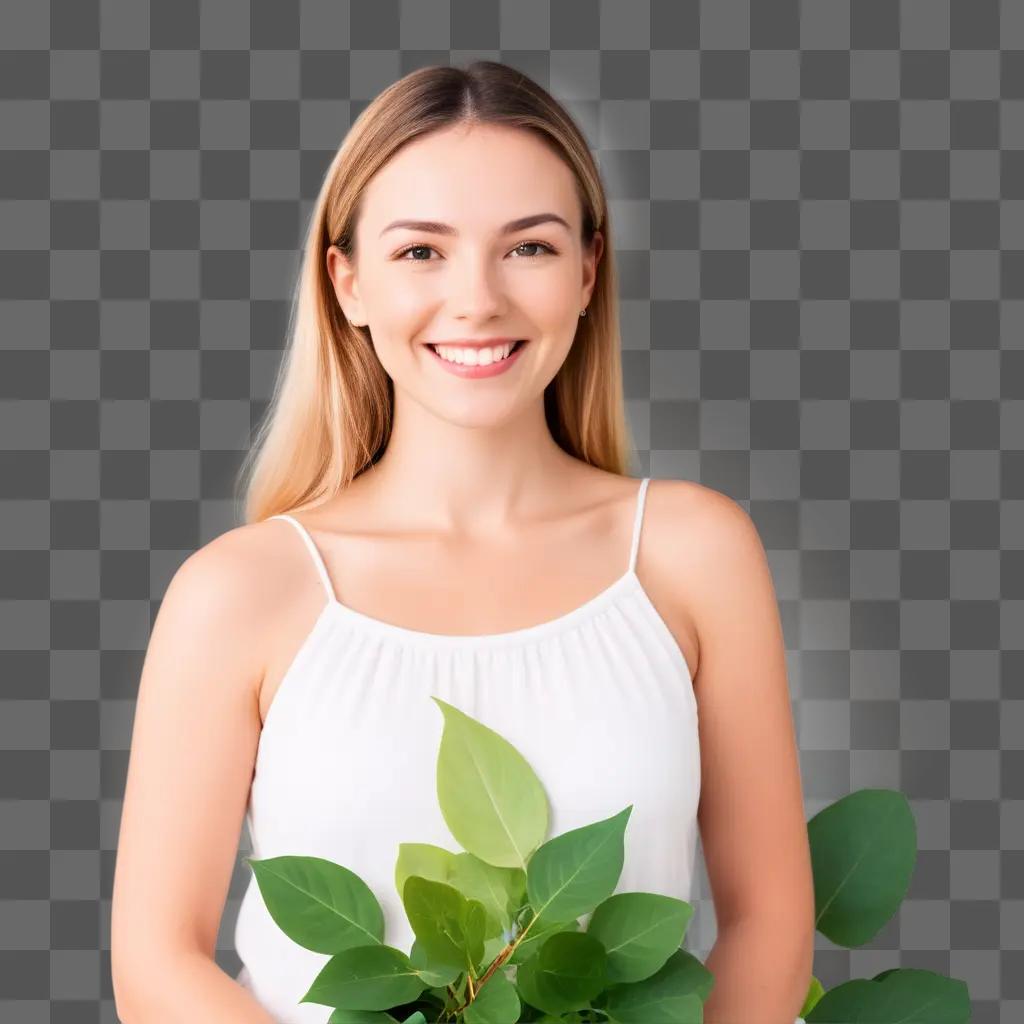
821,218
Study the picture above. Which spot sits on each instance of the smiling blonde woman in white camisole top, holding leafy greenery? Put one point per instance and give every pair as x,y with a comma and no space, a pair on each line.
439,505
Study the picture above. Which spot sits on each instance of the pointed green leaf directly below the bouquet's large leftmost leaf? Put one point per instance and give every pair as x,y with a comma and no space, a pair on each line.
366,978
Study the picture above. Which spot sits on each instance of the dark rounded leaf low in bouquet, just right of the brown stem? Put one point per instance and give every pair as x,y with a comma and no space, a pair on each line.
567,974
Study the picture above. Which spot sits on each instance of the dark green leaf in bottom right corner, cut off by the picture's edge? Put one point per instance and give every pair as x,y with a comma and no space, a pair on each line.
905,996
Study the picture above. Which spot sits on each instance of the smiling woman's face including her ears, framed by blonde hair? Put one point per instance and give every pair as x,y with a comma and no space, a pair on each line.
473,280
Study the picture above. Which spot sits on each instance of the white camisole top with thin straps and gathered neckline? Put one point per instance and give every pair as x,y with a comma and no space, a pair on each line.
600,702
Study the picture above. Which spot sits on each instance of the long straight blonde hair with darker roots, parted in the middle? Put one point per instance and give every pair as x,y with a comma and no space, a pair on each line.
330,415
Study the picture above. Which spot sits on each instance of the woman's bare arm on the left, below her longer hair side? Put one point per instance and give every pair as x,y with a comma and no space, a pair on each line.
194,745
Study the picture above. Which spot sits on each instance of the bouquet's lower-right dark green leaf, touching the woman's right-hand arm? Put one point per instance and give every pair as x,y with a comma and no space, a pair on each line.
675,995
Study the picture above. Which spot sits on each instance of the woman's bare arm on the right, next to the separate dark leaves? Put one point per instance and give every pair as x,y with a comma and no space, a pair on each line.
753,827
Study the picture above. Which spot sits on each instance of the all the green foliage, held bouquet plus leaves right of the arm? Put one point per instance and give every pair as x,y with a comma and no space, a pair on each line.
498,938
